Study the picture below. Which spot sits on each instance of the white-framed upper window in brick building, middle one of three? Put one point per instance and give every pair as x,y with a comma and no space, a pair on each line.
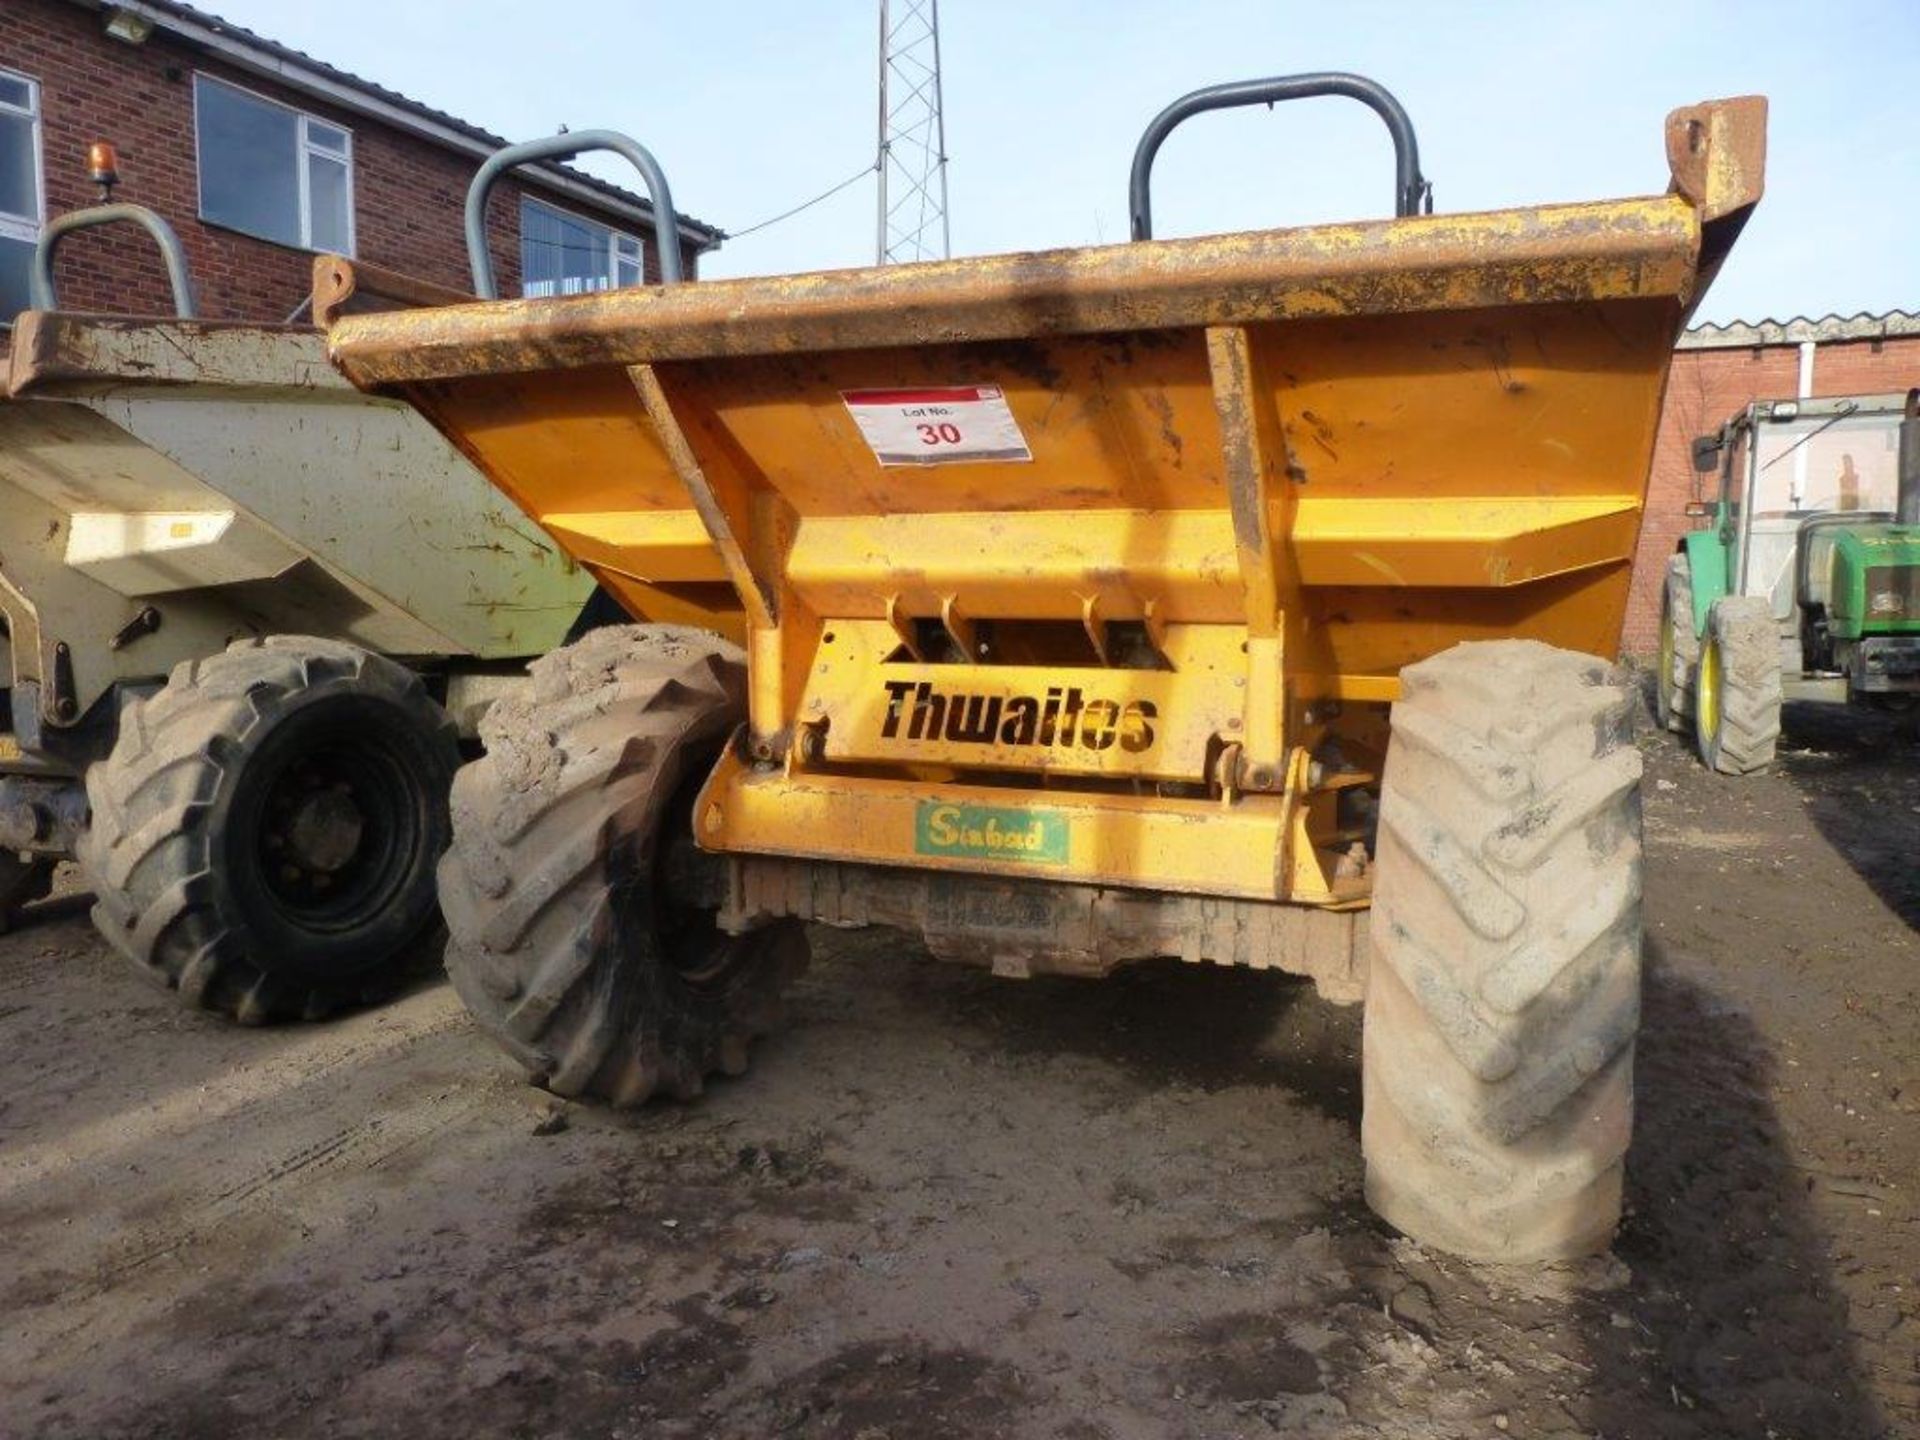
274,172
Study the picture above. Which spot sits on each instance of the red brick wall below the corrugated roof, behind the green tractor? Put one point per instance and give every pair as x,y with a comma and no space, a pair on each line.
1704,391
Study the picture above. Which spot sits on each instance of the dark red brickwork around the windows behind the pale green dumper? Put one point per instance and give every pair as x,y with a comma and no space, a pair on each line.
408,193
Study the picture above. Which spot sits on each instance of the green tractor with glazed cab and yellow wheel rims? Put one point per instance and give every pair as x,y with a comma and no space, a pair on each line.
1806,587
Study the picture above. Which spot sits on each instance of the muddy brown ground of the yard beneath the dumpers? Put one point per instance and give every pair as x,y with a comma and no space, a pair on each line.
949,1205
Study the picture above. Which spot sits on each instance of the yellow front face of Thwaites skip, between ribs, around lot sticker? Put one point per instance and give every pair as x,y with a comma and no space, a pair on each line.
1435,452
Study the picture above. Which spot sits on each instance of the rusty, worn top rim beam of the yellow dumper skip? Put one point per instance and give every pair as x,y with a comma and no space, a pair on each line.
1610,251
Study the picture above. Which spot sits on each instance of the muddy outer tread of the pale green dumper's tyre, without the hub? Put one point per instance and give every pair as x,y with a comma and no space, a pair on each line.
151,852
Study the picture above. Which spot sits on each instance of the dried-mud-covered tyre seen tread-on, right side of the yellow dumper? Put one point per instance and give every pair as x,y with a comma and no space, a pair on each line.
1504,990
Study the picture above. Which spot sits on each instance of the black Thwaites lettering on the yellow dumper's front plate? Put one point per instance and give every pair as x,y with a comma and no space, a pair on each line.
1061,719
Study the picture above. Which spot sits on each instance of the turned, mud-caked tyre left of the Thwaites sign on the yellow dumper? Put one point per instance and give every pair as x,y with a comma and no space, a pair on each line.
581,936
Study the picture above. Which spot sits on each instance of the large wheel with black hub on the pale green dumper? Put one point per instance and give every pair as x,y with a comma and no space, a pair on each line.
266,830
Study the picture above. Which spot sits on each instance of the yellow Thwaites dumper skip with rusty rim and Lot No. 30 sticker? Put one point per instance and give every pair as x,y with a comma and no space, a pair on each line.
1188,498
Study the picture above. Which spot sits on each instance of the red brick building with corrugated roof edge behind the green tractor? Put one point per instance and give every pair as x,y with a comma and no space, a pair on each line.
1721,370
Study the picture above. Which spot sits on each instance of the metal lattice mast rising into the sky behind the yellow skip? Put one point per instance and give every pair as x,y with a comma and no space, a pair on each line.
913,135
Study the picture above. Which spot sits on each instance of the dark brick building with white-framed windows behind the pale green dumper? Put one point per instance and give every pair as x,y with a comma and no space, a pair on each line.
262,156
